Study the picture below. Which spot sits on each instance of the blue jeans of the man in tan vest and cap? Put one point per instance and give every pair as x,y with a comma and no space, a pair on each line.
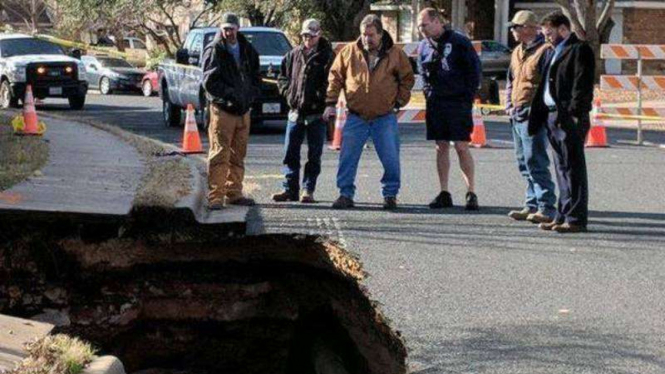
533,163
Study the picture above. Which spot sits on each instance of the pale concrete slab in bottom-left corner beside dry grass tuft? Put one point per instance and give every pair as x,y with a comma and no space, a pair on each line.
14,333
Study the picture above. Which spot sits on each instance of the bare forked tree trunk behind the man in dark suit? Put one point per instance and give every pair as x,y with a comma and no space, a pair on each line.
589,24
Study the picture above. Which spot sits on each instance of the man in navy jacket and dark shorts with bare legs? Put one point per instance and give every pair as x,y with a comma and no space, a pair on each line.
451,72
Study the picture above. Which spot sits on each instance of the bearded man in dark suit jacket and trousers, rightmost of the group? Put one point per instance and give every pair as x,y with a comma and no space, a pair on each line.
562,104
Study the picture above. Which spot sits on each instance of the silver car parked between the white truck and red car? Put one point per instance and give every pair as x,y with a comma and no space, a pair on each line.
110,74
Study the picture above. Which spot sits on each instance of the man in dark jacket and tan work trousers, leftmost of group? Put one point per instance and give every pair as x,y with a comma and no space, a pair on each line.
232,80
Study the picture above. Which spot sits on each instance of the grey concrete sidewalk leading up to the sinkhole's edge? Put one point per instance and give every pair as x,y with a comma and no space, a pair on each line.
88,171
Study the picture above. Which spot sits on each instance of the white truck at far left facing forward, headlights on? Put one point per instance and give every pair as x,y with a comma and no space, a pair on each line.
43,65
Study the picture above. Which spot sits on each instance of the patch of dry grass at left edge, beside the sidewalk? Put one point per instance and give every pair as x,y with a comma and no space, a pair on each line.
20,156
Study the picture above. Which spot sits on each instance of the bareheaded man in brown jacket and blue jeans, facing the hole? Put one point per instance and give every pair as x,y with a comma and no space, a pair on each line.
377,79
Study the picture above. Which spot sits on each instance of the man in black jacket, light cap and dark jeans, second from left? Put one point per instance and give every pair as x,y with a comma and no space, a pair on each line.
303,81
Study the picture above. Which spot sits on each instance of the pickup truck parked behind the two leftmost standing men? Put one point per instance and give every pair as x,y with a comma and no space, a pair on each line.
181,80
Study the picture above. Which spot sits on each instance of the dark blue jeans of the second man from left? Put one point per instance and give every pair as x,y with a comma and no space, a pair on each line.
295,135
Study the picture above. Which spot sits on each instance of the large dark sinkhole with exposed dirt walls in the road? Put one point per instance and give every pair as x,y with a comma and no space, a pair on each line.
266,304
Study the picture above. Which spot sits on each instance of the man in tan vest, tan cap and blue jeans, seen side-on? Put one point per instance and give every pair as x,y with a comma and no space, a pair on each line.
523,79
